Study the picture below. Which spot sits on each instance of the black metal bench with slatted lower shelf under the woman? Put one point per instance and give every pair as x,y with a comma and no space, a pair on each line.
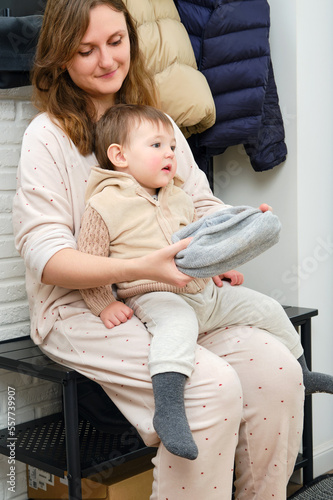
63,442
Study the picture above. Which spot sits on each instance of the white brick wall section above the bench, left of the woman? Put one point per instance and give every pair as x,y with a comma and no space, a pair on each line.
15,113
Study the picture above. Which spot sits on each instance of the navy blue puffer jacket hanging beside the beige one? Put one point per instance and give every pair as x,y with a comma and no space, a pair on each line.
230,39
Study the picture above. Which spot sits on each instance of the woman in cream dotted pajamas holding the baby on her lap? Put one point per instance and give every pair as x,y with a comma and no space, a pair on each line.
87,60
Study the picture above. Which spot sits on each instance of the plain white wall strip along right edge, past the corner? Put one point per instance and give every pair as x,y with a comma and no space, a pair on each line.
315,200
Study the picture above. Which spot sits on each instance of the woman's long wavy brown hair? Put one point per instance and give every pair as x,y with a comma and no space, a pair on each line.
64,25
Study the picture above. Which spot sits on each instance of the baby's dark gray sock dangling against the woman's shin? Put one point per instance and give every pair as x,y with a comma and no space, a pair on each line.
170,420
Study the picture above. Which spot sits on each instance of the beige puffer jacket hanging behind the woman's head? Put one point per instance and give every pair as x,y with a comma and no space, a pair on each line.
184,91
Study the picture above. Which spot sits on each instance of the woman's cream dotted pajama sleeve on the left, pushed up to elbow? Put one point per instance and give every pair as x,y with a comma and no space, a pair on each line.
49,200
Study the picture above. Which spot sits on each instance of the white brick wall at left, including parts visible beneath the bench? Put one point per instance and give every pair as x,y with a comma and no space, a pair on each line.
33,398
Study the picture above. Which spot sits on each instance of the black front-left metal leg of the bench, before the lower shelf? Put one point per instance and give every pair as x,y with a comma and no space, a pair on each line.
72,440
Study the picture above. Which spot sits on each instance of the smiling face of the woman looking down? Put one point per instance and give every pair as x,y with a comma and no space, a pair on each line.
102,62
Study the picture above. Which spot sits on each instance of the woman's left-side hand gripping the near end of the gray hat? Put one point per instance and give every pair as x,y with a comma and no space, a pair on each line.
160,265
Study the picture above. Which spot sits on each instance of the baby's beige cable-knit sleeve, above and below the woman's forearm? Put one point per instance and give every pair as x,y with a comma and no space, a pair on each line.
94,238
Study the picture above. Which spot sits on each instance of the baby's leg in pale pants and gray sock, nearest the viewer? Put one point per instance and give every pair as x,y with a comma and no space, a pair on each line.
174,329
